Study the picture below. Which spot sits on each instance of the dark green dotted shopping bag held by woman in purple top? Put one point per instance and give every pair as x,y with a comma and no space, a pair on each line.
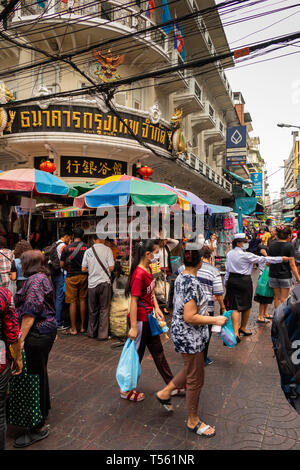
23,404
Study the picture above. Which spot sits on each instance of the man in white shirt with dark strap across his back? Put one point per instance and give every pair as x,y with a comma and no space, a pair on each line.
98,261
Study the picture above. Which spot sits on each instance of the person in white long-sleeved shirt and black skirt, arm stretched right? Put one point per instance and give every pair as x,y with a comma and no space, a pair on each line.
238,281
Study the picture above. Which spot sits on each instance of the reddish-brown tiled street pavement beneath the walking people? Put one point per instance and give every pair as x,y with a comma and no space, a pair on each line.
241,397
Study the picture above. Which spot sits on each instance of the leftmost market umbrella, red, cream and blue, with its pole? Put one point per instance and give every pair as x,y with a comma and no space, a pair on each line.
33,182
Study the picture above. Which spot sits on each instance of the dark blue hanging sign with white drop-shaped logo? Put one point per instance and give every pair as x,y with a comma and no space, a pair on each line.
236,146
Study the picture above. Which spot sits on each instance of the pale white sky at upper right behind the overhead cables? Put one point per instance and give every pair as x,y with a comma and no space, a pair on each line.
271,89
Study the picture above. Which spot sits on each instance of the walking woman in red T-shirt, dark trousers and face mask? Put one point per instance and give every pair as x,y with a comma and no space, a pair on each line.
141,288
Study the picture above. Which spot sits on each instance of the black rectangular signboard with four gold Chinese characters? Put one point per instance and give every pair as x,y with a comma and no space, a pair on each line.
87,167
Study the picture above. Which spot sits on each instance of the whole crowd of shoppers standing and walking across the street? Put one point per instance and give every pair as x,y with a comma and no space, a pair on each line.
74,273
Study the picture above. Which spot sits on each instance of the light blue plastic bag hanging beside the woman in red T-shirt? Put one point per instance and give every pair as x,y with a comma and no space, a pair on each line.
129,367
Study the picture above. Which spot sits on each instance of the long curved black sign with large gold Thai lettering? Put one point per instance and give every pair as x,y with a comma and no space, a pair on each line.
89,120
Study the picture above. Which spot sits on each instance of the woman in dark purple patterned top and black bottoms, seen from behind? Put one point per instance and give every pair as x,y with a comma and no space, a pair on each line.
35,305
